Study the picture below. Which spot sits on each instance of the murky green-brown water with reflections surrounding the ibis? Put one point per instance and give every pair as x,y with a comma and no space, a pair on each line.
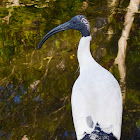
35,85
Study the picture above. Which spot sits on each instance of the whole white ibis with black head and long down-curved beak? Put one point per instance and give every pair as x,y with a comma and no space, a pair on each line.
96,98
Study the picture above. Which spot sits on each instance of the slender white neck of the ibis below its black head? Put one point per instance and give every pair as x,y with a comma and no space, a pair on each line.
84,55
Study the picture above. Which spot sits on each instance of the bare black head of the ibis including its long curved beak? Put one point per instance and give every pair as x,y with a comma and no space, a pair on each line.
78,22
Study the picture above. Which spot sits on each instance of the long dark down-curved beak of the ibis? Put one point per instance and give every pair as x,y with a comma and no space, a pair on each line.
57,29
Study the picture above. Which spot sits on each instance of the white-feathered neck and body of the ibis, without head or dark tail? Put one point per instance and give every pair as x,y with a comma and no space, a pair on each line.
96,96
